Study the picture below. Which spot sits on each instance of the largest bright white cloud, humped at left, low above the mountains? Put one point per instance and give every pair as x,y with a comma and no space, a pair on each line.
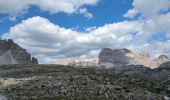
47,40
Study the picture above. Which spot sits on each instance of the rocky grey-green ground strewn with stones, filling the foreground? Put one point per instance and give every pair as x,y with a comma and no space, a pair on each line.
56,82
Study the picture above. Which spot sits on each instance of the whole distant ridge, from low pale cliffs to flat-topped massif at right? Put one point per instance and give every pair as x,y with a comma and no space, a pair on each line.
116,58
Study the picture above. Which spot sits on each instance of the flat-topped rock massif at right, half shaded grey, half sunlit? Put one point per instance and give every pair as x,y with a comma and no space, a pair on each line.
122,57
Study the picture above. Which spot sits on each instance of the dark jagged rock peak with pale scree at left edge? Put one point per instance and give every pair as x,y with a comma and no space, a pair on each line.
12,53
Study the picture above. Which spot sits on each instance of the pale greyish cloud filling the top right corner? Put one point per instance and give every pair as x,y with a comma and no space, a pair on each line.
148,8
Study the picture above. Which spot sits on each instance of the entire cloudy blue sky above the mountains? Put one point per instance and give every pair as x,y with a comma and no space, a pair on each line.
56,29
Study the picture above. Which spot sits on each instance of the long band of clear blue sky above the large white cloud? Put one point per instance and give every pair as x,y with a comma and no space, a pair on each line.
107,11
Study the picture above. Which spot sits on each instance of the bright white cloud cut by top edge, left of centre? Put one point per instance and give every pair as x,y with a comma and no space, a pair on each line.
67,6
